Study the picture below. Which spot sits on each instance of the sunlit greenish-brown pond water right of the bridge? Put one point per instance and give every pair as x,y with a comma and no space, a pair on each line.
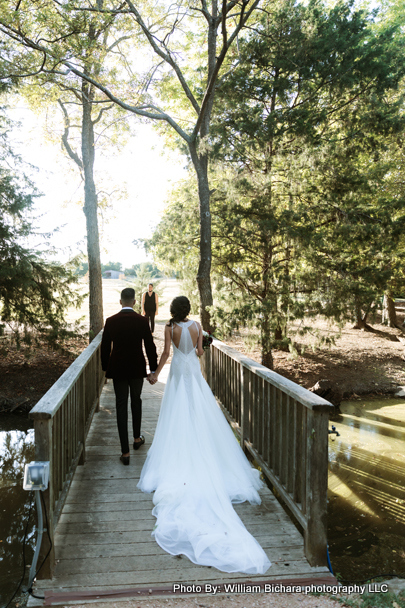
366,489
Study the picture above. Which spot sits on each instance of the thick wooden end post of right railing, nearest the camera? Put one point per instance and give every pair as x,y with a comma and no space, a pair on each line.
315,540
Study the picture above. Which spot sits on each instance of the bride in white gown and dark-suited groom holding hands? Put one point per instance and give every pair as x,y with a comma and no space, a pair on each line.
195,467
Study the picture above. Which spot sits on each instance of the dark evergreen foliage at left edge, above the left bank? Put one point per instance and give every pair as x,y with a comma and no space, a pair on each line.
34,293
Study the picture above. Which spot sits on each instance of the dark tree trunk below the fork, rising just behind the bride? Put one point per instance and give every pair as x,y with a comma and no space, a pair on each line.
204,268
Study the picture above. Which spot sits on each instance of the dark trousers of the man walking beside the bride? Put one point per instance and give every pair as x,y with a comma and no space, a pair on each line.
122,388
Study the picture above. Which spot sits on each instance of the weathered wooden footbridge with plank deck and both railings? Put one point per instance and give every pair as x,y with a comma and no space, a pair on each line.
100,524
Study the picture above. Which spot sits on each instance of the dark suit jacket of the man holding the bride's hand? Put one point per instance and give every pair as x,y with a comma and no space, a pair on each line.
125,331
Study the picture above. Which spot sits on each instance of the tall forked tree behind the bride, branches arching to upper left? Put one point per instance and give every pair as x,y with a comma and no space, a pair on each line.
186,99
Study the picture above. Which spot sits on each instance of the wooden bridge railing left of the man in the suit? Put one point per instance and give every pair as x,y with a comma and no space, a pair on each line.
62,419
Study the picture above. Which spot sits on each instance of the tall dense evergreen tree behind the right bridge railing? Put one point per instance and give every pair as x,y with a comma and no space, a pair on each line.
298,119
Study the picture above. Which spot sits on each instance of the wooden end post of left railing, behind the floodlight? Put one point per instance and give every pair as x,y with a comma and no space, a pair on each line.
43,452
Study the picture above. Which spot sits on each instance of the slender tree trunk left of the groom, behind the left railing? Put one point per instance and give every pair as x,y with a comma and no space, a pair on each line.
90,211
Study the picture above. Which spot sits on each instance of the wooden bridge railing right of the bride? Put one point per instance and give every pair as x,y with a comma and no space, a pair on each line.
285,429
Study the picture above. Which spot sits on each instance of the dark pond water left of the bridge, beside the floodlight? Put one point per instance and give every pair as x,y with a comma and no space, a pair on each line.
16,448
